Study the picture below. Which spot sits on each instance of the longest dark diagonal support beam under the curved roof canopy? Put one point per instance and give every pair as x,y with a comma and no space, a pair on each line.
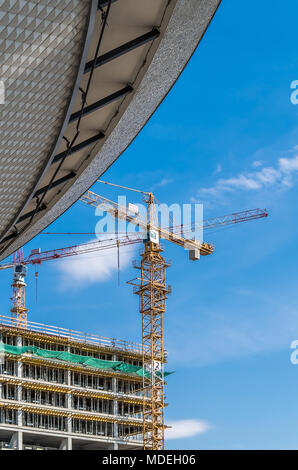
121,50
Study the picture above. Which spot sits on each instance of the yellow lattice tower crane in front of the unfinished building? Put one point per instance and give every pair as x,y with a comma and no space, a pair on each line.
153,292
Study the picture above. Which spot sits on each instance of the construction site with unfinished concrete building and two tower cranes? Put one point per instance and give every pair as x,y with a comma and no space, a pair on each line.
62,389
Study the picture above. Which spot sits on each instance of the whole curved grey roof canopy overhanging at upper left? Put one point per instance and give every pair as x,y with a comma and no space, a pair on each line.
81,78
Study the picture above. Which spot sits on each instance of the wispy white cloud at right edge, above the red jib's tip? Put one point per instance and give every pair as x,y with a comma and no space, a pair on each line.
282,174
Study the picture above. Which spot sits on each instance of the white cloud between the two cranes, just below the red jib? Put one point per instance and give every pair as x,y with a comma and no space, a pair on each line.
93,267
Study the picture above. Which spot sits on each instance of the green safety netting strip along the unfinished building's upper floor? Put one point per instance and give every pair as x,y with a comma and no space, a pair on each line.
75,358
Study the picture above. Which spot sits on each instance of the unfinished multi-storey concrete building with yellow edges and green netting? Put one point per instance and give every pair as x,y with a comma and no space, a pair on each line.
62,389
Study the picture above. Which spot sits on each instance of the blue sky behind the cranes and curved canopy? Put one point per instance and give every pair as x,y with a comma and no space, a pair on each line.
227,136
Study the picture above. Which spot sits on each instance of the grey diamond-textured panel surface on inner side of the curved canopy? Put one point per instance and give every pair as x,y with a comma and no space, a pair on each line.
40,48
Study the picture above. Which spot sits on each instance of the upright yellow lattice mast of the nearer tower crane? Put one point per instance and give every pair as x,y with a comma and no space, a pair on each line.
152,290
